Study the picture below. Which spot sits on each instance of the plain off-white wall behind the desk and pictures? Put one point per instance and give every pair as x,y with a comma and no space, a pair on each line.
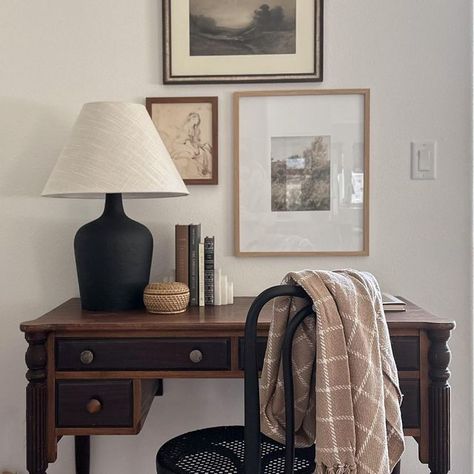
57,54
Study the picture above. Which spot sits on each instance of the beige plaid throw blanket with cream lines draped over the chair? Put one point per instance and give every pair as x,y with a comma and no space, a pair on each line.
347,397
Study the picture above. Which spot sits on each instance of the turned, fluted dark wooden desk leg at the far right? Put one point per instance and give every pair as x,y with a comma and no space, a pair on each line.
439,407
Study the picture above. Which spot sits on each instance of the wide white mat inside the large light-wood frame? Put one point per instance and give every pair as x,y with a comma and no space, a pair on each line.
338,230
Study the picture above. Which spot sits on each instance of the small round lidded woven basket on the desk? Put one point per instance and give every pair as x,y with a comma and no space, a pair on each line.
166,298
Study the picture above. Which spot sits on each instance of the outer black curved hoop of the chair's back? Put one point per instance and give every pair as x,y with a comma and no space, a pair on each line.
252,399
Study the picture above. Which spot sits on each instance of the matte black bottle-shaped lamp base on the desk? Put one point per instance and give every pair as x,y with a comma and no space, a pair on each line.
113,259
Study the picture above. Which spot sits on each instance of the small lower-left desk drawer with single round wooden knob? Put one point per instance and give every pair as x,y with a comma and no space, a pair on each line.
94,403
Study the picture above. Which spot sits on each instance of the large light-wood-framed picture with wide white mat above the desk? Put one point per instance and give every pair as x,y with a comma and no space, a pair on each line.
302,172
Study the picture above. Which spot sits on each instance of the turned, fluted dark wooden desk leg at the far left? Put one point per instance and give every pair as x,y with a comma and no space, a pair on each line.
36,404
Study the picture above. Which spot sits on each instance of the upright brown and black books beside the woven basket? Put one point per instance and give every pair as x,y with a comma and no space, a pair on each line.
195,263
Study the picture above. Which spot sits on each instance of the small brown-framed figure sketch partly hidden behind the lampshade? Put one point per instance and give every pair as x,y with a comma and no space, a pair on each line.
188,128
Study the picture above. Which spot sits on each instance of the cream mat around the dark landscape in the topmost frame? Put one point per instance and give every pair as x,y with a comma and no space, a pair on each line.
302,62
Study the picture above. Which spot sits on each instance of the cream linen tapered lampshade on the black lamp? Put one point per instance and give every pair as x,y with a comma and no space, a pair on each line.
114,147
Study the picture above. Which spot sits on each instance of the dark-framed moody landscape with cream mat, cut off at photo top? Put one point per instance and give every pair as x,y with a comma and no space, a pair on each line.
219,41
